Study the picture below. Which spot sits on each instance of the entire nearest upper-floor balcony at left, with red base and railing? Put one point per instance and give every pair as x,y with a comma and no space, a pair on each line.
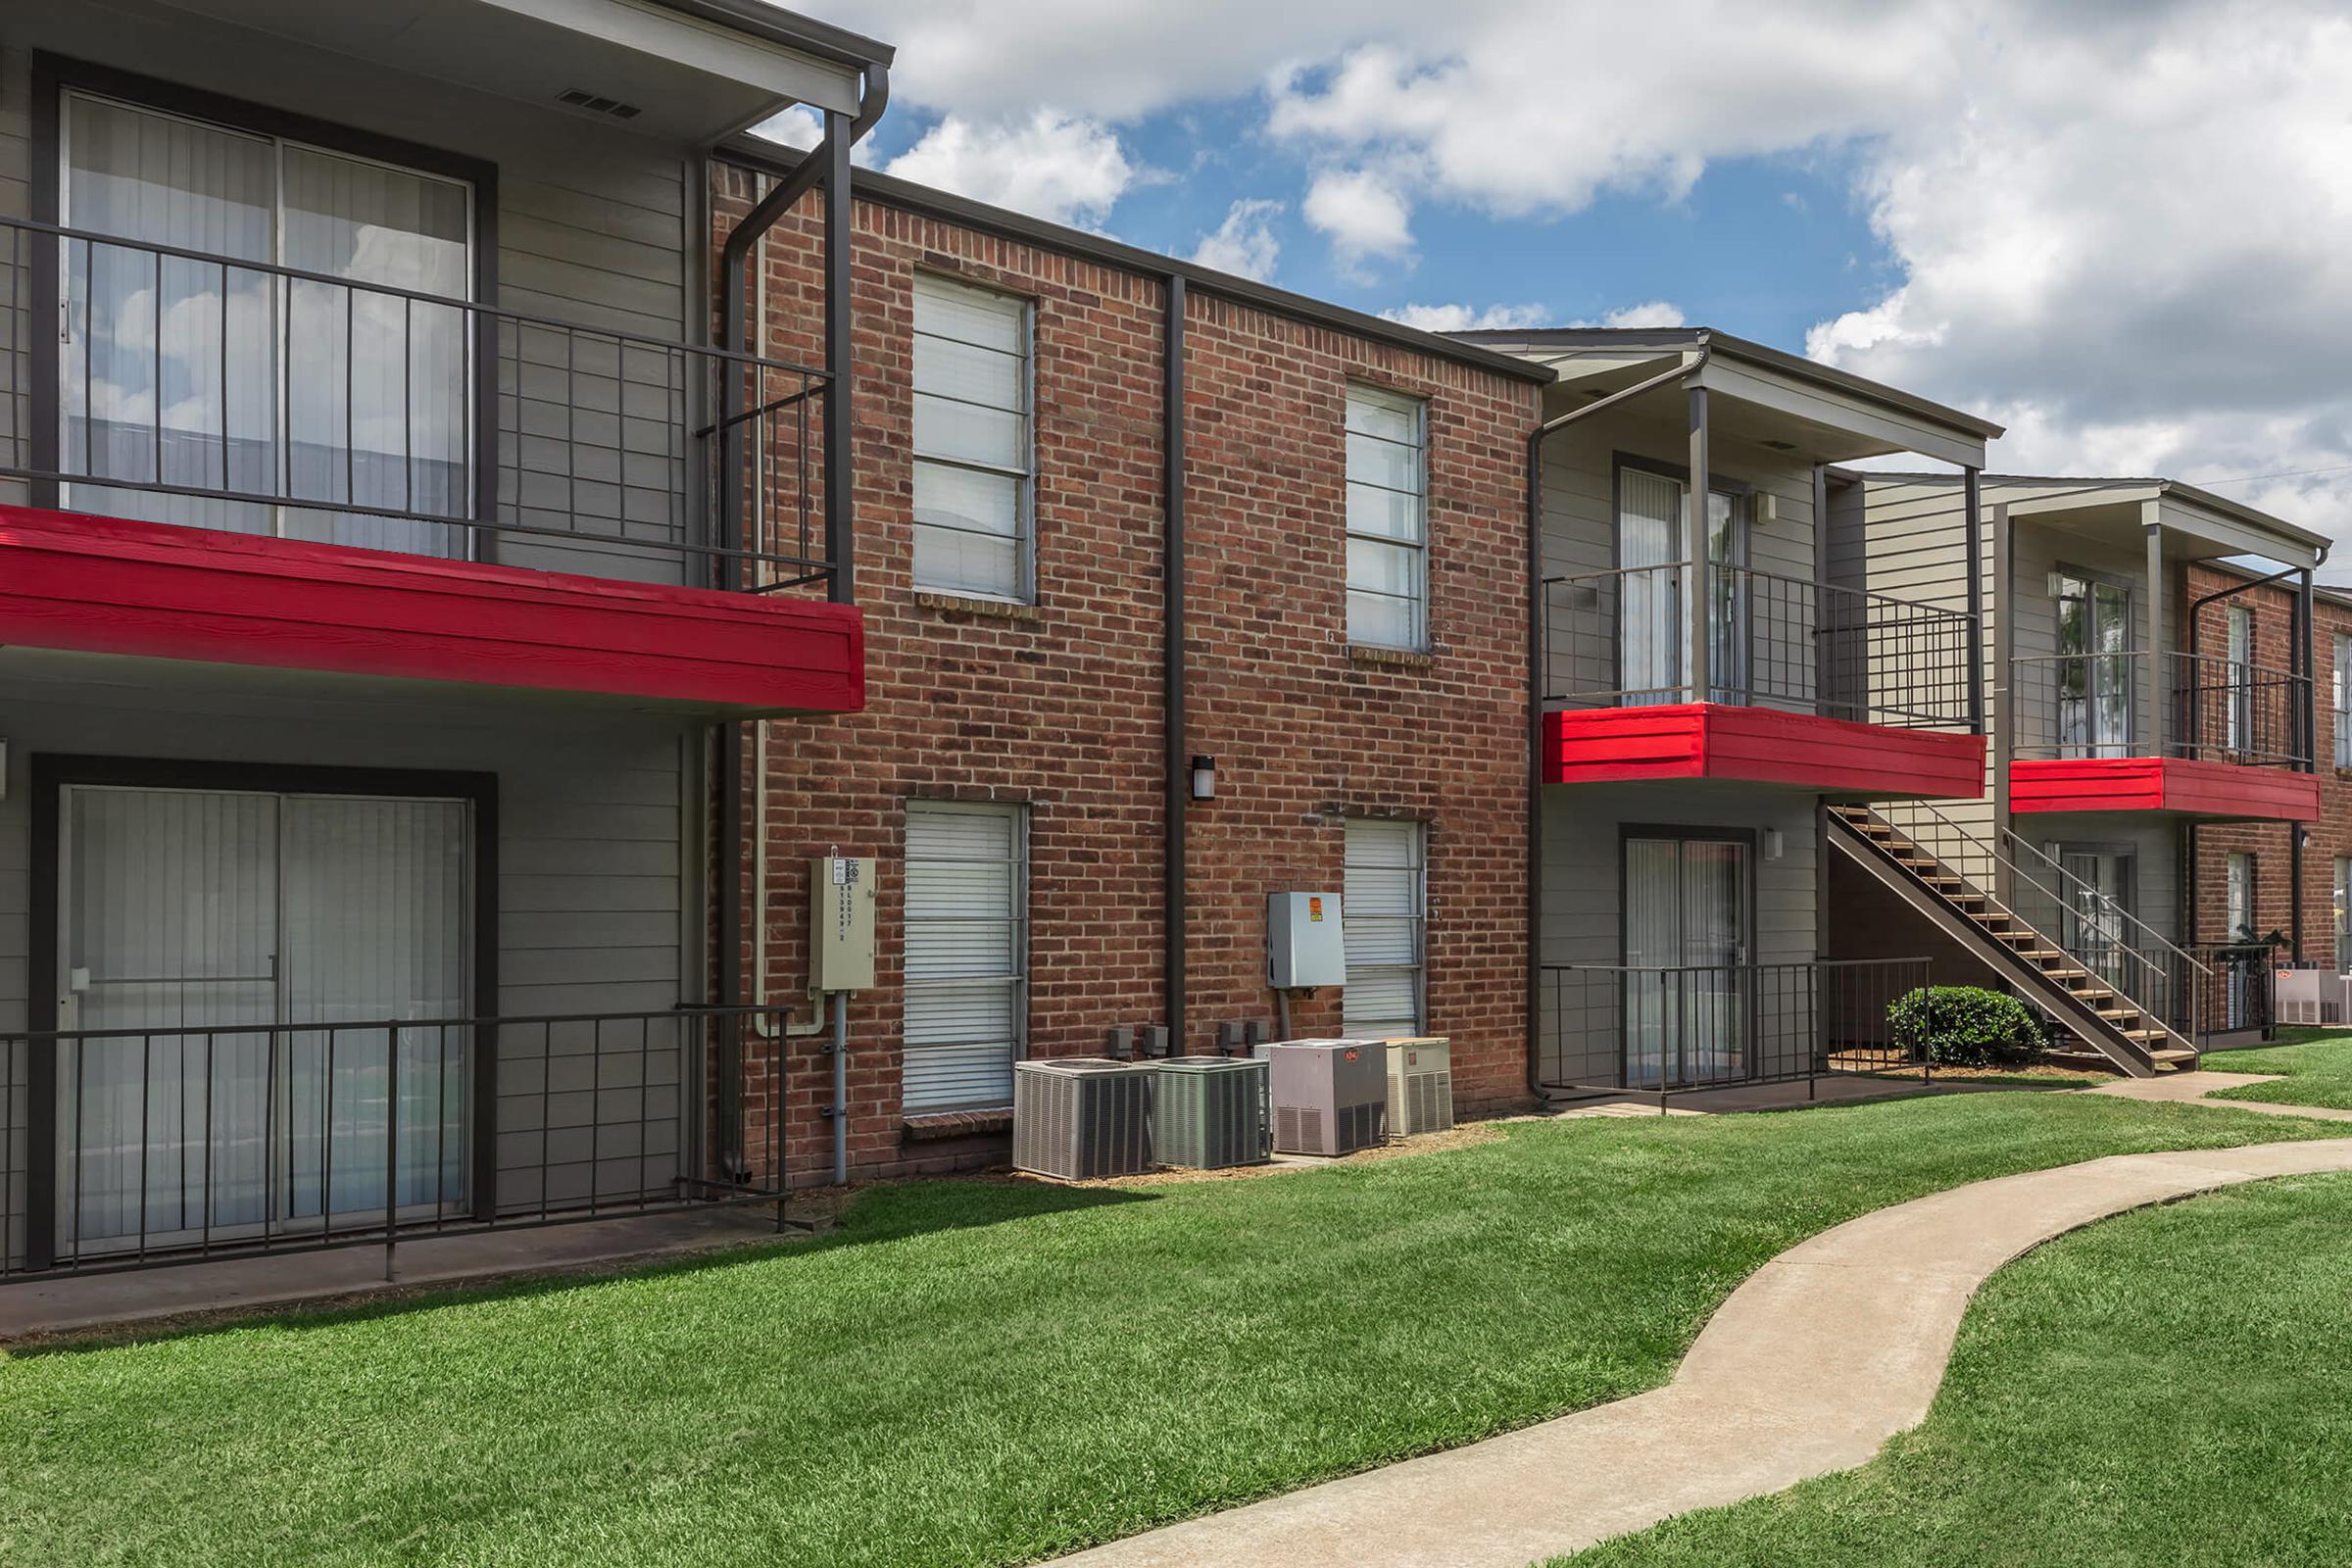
298,391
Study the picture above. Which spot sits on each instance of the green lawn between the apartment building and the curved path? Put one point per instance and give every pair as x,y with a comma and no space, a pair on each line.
989,1372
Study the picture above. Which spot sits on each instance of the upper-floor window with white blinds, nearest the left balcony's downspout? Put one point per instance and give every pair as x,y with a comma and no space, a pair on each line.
973,441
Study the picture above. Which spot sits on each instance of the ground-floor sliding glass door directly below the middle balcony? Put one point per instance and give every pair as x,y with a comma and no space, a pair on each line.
1688,946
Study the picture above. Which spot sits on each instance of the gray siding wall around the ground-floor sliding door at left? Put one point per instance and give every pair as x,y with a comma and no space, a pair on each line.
599,904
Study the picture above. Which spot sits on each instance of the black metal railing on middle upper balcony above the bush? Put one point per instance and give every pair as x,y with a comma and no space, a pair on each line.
1624,641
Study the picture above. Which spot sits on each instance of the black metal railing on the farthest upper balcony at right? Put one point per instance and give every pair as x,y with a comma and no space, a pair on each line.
2078,706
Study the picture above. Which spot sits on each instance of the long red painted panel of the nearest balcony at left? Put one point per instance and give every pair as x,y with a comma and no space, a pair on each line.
114,587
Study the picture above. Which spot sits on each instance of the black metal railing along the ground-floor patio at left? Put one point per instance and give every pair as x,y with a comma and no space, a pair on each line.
208,1141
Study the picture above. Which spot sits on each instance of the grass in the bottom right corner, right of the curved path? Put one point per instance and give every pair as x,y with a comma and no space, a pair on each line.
2163,1388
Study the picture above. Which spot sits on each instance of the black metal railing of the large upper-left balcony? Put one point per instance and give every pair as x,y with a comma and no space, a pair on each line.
215,391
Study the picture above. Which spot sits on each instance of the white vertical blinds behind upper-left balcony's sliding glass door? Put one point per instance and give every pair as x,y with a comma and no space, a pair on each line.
375,401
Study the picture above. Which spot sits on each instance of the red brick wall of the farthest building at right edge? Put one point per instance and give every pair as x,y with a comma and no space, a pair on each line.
2271,845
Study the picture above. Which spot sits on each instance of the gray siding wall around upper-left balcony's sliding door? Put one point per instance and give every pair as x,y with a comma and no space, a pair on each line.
592,229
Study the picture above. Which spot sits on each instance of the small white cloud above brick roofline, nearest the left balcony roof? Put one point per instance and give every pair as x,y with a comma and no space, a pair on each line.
1050,166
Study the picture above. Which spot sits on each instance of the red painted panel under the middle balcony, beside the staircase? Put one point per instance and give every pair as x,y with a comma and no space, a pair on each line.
1760,746
